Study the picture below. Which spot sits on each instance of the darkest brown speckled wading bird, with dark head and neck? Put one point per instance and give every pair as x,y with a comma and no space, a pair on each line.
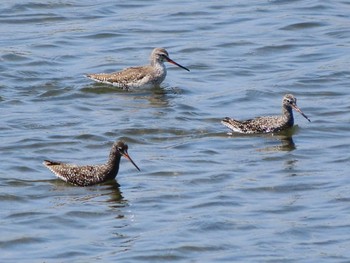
86,175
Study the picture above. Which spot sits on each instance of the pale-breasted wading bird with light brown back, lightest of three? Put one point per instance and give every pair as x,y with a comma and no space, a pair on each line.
139,77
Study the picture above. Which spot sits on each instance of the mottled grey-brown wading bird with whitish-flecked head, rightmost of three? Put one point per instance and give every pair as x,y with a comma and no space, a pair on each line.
267,124
